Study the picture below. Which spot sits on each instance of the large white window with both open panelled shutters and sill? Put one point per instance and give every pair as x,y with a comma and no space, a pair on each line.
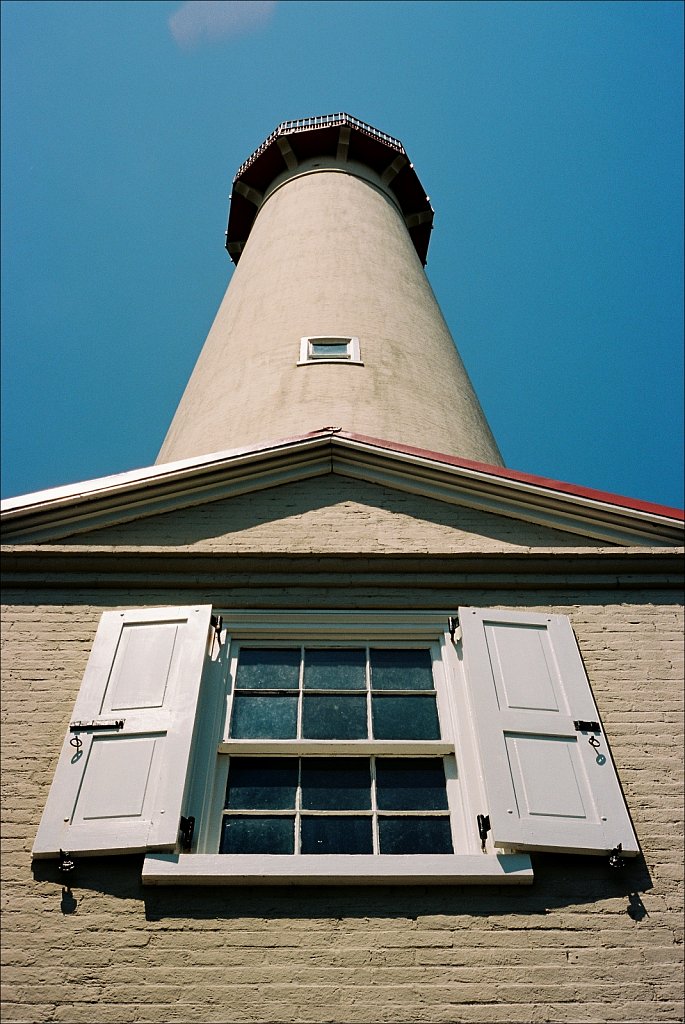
335,747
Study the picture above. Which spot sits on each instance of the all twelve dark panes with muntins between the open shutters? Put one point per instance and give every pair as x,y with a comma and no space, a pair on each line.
378,801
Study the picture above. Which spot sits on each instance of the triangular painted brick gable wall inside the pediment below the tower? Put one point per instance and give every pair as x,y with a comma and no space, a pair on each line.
331,514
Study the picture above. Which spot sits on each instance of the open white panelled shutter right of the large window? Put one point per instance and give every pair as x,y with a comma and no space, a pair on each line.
548,788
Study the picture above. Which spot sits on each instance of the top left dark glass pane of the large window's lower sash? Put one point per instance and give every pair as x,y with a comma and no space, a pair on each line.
263,784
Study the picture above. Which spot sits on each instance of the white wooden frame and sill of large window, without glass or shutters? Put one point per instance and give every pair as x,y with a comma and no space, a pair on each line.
465,792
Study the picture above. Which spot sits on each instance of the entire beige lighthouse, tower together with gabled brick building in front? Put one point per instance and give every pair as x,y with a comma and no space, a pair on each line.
330,645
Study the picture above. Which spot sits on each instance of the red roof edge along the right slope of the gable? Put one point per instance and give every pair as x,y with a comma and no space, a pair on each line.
511,475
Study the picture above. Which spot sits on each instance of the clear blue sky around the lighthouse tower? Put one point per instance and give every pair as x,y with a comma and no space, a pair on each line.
548,136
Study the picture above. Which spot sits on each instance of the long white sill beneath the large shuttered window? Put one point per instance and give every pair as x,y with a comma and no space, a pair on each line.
231,870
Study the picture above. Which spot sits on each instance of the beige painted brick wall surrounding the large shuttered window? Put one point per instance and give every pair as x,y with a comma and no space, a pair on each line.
583,945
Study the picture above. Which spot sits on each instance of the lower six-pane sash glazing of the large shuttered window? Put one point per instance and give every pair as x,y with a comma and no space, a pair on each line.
336,805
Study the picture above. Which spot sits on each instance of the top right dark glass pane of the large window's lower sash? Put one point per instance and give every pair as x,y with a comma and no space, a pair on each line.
411,785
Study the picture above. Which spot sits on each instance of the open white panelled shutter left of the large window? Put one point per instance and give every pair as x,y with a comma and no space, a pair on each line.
121,791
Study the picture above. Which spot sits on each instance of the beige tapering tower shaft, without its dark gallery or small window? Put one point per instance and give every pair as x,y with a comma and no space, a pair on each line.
330,254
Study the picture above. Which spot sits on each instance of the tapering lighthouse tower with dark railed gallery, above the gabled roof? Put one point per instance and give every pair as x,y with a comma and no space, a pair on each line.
329,320
